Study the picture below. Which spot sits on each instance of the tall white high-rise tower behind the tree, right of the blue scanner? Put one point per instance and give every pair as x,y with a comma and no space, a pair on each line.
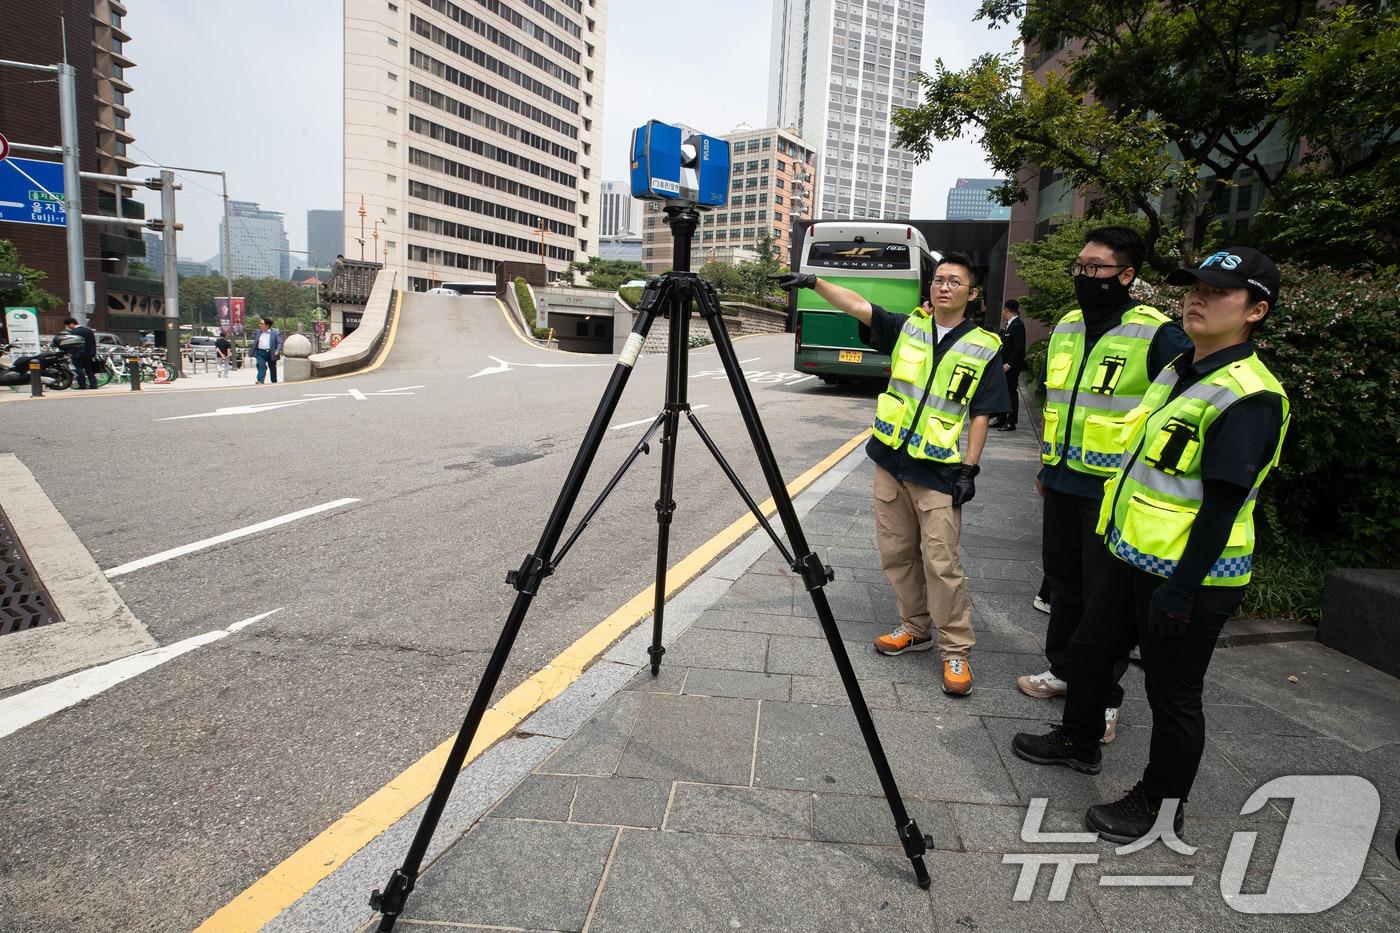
838,71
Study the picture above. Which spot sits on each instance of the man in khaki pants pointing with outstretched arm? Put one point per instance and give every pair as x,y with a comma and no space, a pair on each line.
944,375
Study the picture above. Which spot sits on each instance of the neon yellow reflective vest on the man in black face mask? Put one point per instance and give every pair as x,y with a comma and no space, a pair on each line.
1091,394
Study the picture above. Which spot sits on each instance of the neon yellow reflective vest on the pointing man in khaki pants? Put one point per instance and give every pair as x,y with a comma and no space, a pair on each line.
934,390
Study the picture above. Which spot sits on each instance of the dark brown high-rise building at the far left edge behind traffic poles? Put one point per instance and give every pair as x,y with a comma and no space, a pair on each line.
30,114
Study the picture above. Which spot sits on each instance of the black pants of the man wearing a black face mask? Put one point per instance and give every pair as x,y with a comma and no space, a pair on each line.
1076,561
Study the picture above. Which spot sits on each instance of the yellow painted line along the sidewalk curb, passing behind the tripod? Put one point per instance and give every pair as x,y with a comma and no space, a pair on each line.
304,869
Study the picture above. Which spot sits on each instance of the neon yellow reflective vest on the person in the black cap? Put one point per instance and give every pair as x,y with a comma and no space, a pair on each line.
1149,509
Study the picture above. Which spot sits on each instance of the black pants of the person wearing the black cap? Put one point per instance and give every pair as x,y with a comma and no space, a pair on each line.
1115,620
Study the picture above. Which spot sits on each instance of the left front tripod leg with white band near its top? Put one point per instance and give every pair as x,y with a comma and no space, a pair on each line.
535,568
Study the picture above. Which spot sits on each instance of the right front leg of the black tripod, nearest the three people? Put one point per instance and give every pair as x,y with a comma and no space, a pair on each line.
815,576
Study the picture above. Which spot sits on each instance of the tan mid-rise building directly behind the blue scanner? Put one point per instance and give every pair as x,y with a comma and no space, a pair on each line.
772,181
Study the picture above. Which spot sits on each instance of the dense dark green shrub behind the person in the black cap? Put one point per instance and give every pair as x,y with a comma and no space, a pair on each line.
1333,343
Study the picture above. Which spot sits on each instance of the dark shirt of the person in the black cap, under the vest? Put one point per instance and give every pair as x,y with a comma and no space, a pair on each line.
1240,442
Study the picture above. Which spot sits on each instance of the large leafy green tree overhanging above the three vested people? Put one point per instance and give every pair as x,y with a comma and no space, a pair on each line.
1158,110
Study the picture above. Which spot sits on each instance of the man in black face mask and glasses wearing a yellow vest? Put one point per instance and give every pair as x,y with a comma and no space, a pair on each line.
1100,364
